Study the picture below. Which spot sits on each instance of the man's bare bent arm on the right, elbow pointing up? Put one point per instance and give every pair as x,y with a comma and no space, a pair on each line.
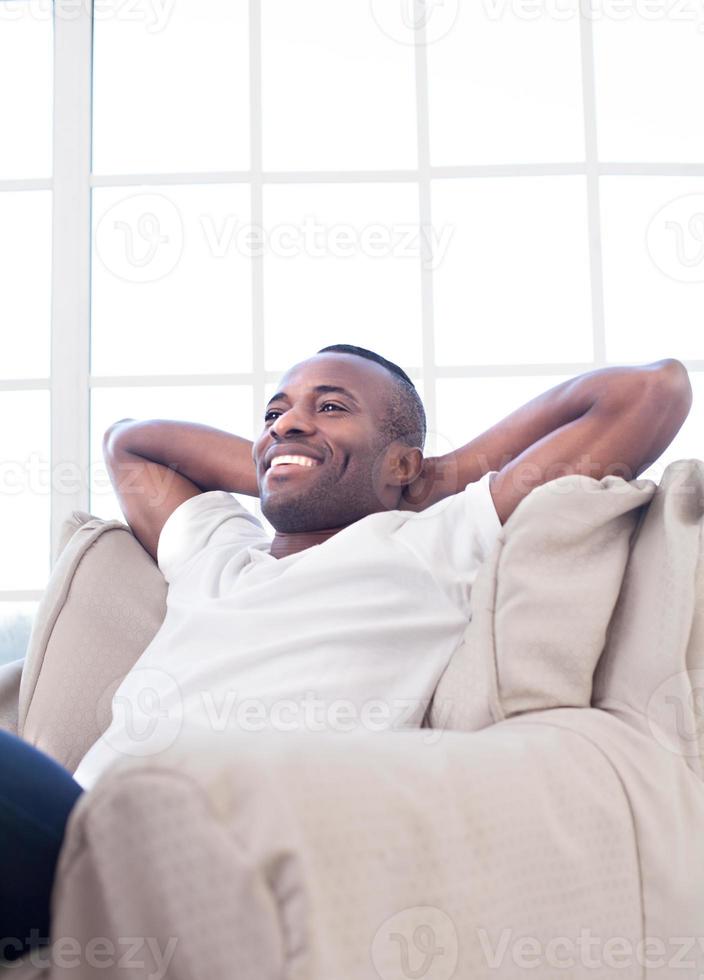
613,420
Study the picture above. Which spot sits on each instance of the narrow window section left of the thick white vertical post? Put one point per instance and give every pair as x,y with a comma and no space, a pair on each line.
26,72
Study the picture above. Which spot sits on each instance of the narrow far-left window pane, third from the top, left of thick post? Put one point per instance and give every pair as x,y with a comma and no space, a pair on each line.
25,489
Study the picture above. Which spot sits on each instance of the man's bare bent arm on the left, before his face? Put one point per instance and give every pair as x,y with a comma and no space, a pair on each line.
156,465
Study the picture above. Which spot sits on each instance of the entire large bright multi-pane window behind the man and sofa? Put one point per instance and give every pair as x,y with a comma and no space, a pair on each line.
497,196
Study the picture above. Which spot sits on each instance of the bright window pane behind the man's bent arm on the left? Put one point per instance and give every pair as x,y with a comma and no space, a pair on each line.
225,407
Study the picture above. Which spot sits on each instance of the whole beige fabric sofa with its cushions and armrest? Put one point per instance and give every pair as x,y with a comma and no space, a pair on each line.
550,823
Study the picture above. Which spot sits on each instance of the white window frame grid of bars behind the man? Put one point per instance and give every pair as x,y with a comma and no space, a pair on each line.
70,383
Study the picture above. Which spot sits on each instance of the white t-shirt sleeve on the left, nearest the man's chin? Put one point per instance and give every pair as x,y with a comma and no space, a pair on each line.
207,520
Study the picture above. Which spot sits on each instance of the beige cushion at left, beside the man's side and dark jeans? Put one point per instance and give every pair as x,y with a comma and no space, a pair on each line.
105,600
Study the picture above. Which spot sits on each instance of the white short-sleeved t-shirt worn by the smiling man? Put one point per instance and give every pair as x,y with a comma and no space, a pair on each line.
349,635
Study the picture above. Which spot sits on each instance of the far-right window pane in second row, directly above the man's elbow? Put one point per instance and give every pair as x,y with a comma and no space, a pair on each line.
653,254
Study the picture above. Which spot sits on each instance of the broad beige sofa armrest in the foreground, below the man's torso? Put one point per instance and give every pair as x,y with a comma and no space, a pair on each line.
328,855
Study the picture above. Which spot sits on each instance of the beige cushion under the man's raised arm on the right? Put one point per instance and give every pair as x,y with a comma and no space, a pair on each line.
542,603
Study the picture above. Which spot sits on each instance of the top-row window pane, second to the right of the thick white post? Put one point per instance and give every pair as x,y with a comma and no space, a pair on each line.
338,91
